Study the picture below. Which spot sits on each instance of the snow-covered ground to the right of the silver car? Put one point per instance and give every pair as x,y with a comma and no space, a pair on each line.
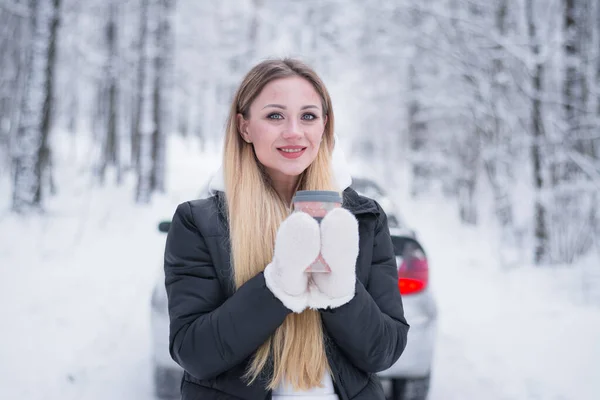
526,333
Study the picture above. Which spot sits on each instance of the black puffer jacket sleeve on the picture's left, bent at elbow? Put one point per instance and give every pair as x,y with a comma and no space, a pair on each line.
210,333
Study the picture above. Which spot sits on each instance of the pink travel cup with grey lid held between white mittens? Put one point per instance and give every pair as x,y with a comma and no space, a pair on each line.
317,203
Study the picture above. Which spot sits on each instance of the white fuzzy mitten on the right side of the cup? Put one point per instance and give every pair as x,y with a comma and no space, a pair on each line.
339,248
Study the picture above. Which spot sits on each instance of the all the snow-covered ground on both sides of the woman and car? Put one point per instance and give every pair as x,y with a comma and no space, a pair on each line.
75,291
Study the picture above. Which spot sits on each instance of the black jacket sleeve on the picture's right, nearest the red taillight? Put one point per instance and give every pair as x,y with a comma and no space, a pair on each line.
371,329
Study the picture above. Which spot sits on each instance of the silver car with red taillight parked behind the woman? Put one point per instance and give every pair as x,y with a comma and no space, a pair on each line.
407,379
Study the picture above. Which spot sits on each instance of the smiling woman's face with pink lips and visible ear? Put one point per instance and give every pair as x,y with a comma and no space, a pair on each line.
285,127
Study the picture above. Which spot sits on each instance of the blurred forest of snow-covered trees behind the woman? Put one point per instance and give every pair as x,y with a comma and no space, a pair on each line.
455,96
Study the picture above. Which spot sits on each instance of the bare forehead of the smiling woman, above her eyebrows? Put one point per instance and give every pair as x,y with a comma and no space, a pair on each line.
289,91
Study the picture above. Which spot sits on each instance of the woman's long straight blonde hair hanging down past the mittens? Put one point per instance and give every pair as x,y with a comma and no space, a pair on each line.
296,350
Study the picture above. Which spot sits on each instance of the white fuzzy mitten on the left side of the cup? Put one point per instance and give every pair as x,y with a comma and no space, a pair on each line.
297,245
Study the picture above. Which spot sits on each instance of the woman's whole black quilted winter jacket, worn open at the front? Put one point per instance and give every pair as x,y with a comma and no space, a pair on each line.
215,329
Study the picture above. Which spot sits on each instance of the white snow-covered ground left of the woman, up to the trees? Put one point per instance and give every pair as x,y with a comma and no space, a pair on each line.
76,285
